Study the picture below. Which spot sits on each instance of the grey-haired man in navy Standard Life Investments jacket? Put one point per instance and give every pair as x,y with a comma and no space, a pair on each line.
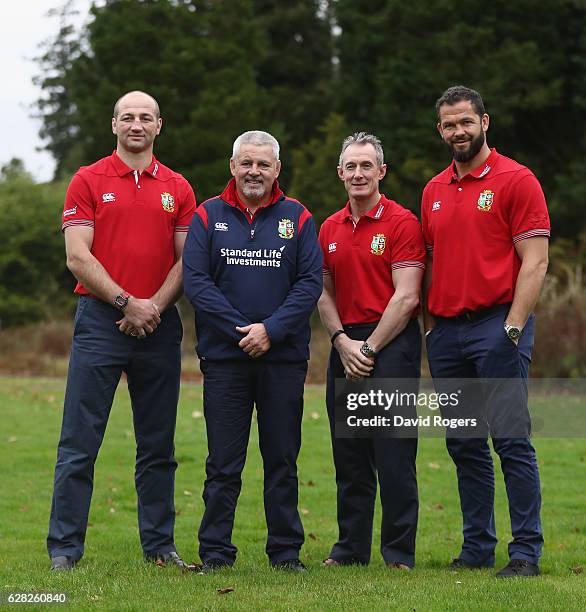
252,269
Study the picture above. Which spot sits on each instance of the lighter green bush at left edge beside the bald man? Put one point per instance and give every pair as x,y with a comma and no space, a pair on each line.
33,277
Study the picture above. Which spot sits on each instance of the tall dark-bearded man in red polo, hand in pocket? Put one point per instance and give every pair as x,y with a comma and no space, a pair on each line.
486,228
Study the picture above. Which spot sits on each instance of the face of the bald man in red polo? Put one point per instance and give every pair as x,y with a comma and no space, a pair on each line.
137,122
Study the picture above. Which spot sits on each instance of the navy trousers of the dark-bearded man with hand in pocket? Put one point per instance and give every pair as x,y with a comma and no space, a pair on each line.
477,347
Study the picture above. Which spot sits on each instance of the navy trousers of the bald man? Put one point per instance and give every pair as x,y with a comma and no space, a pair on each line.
99,355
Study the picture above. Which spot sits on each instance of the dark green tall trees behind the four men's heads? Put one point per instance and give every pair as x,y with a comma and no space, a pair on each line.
310,72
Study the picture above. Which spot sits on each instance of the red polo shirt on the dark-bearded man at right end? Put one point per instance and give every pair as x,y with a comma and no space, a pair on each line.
472,225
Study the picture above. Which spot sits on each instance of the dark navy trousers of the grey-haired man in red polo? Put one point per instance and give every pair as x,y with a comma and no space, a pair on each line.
359,461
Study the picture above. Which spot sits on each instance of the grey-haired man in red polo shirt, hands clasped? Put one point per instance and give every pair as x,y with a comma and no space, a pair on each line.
373,265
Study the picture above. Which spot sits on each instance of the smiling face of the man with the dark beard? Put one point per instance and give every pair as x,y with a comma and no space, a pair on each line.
463,130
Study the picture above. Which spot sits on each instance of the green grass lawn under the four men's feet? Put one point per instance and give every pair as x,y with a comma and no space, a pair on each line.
112,574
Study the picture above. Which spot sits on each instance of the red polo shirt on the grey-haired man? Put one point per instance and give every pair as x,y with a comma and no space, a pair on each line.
361,257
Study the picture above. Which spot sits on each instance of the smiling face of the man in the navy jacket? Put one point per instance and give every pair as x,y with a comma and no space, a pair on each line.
255,169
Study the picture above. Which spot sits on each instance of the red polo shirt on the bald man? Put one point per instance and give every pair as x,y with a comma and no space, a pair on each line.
134,216
